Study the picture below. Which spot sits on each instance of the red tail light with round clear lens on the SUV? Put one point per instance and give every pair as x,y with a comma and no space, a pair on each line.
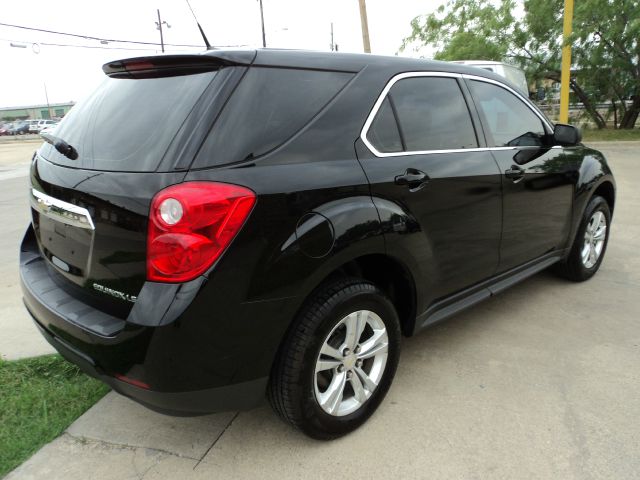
191,225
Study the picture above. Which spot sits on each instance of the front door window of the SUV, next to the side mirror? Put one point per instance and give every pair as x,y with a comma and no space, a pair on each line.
509,120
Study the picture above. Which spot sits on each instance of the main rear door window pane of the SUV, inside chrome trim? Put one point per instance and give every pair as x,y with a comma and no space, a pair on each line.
432,114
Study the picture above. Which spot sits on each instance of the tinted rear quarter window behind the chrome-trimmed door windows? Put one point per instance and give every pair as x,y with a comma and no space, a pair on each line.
269,106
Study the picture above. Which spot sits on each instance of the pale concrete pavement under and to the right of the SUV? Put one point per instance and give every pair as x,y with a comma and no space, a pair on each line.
541,382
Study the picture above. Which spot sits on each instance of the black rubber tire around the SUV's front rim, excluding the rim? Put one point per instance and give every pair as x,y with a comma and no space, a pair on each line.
573,267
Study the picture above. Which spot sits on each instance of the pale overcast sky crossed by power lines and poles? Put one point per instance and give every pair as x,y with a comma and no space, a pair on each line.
70,73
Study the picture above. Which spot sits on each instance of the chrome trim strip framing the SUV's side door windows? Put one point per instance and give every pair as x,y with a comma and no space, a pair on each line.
401,76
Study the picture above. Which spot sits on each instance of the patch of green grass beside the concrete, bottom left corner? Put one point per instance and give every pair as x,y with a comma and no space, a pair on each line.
39,398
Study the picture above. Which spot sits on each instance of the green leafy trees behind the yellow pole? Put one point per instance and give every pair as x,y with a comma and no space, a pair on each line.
605,44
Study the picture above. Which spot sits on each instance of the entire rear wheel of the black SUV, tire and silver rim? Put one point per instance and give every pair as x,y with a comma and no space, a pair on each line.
338,359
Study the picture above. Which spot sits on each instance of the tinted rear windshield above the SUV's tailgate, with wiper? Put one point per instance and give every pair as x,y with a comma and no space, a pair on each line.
127,124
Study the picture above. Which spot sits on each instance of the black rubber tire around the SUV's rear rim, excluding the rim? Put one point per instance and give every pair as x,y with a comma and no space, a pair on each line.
291,390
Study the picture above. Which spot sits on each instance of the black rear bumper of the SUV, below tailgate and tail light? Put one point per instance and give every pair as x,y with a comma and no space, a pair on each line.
189,364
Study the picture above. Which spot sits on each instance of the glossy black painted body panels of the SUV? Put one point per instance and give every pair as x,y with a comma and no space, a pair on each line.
323,201
